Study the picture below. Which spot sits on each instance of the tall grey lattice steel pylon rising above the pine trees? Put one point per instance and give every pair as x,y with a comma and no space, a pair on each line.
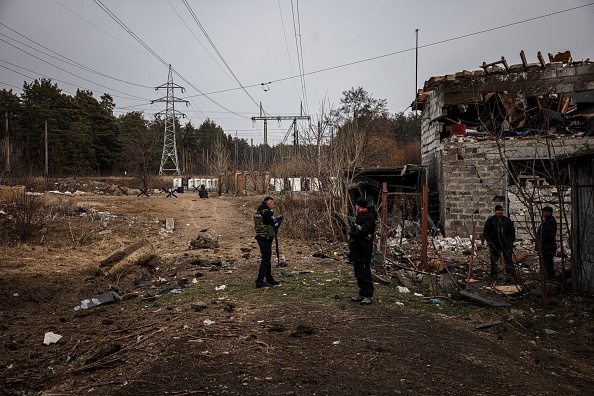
169,160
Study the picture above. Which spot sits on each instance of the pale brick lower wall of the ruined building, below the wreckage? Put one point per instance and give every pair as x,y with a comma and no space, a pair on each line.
473,179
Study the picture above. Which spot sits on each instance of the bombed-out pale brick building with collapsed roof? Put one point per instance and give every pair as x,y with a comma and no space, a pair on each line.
493,136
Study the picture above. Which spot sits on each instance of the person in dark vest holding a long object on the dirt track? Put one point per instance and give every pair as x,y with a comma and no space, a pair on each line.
266,225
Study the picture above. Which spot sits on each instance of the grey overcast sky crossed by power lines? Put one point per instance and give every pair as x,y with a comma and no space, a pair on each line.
216,47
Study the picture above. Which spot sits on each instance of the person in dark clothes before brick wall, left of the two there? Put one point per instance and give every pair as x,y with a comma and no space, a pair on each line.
500,234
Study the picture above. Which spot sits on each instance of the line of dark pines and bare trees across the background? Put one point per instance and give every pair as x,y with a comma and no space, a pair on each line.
51,133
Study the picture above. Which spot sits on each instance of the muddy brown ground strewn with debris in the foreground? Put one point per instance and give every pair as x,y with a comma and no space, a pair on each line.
303,337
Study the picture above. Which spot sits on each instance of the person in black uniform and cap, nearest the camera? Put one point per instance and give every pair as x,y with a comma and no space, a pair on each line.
361,250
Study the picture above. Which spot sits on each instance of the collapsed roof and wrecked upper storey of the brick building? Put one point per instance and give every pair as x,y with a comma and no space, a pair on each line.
523,99
